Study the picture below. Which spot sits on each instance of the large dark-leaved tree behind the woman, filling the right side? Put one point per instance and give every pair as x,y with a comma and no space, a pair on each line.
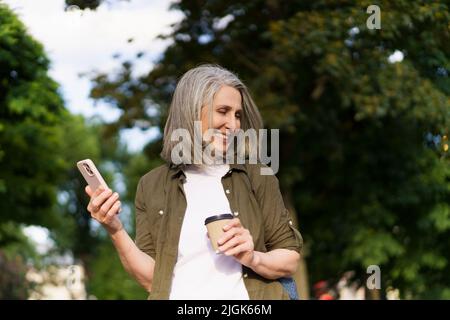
355,157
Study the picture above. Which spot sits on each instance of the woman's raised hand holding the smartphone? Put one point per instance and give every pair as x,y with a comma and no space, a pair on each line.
104,207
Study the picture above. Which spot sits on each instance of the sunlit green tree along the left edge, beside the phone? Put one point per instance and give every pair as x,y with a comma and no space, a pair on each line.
40,142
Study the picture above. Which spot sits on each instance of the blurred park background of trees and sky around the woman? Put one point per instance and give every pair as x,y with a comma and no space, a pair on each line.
363,114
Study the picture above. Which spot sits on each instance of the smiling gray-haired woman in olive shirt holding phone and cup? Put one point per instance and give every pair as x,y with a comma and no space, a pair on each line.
172,257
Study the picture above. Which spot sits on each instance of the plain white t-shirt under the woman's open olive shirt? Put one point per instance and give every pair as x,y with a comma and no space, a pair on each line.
199,272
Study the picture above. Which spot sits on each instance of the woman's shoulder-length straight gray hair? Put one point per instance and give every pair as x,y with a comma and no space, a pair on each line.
197,88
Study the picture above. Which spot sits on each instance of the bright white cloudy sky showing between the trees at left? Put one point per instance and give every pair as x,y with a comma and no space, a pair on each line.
82,41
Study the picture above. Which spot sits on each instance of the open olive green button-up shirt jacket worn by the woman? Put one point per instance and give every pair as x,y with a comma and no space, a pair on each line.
254,198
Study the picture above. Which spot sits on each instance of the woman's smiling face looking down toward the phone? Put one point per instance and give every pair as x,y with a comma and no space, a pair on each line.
226,115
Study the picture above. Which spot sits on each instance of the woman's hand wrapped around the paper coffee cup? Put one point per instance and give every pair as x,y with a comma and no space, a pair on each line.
237,242
